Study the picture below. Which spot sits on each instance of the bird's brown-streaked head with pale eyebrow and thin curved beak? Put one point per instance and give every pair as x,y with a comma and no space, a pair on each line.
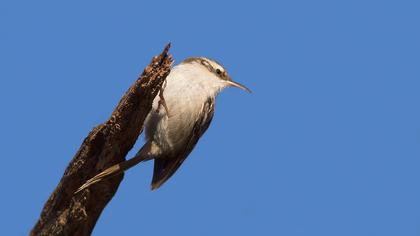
214,72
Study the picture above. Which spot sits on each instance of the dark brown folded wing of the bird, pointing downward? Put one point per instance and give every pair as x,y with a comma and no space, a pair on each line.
164,168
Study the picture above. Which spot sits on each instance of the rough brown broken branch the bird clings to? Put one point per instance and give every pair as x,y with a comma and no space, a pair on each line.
66,213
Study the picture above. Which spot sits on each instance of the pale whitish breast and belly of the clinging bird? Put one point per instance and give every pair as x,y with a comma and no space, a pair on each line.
188,87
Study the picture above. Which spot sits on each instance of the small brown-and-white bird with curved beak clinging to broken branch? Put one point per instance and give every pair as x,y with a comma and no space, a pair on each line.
180,115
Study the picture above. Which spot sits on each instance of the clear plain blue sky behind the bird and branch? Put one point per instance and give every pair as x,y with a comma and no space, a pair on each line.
328,143
